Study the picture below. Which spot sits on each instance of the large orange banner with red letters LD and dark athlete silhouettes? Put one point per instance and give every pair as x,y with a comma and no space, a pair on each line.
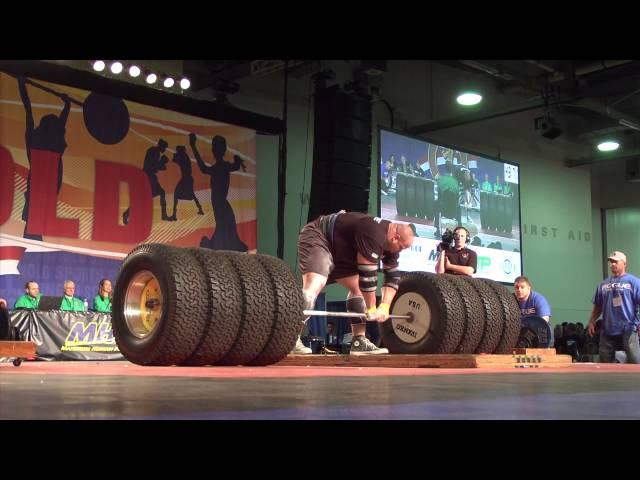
85,177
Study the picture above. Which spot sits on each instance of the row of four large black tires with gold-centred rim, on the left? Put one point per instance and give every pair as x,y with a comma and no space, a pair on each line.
176,306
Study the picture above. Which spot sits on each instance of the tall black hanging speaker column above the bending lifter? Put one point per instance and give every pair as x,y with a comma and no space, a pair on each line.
341,152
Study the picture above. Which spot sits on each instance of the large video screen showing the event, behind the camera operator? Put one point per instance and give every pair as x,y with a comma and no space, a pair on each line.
438,187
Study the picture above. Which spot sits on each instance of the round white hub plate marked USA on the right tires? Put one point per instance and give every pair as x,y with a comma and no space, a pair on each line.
414,329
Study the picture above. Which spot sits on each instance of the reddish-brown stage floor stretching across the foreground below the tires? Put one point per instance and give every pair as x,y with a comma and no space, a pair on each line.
122,390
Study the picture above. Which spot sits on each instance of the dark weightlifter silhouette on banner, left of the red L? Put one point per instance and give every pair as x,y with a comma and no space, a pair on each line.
46,137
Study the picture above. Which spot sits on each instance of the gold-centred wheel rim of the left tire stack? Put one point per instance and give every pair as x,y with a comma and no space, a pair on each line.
143,304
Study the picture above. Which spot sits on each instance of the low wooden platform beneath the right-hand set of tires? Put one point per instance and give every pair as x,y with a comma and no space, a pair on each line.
521,358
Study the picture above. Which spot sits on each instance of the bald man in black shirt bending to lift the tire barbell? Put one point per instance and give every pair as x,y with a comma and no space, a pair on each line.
346,248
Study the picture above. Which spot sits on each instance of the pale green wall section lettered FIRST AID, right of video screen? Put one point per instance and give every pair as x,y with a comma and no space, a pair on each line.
561,240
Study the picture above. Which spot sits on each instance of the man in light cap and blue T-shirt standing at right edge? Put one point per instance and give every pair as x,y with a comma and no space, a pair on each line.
617,298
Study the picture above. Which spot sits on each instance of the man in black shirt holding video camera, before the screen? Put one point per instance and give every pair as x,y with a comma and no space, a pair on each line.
455,257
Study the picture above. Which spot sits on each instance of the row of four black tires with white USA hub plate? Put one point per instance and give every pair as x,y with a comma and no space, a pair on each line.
452,314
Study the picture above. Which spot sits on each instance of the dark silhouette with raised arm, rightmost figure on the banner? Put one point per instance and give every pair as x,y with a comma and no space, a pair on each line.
225,236
